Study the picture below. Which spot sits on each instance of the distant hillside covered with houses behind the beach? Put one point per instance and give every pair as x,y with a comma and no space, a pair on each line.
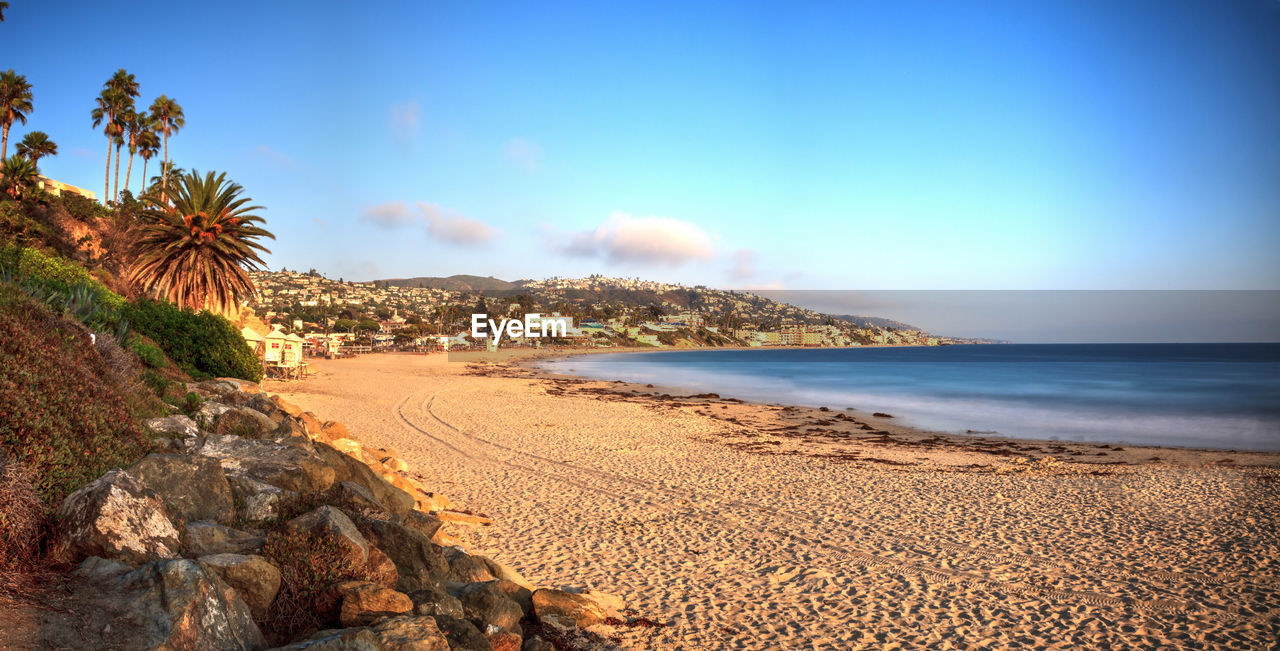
605,313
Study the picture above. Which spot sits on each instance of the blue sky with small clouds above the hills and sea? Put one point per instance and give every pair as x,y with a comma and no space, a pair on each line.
1075,145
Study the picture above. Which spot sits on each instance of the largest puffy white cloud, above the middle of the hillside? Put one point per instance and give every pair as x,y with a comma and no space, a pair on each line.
653,240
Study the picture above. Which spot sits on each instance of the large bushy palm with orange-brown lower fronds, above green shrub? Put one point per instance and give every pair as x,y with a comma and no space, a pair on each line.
195,250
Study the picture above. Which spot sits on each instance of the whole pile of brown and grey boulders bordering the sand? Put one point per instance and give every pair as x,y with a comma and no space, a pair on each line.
258,525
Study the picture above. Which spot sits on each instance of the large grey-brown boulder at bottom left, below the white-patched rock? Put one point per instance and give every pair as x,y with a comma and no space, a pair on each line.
175,606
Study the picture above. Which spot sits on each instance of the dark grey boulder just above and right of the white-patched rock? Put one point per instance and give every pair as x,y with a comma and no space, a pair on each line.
191,487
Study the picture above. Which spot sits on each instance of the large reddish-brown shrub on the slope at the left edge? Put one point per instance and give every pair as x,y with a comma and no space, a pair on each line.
62,415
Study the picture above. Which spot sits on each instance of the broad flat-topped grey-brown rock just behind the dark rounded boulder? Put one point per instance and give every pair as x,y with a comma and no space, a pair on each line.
290,464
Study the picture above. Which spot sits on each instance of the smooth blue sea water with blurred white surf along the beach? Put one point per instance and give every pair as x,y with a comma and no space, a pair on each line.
1201,396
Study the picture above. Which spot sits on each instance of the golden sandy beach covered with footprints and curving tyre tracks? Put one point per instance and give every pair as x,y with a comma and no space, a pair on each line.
749,526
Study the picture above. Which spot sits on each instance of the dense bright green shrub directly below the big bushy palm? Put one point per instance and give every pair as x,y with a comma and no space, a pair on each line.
202,343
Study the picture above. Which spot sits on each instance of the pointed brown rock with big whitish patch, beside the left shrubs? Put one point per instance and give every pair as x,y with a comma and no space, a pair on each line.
113,517
